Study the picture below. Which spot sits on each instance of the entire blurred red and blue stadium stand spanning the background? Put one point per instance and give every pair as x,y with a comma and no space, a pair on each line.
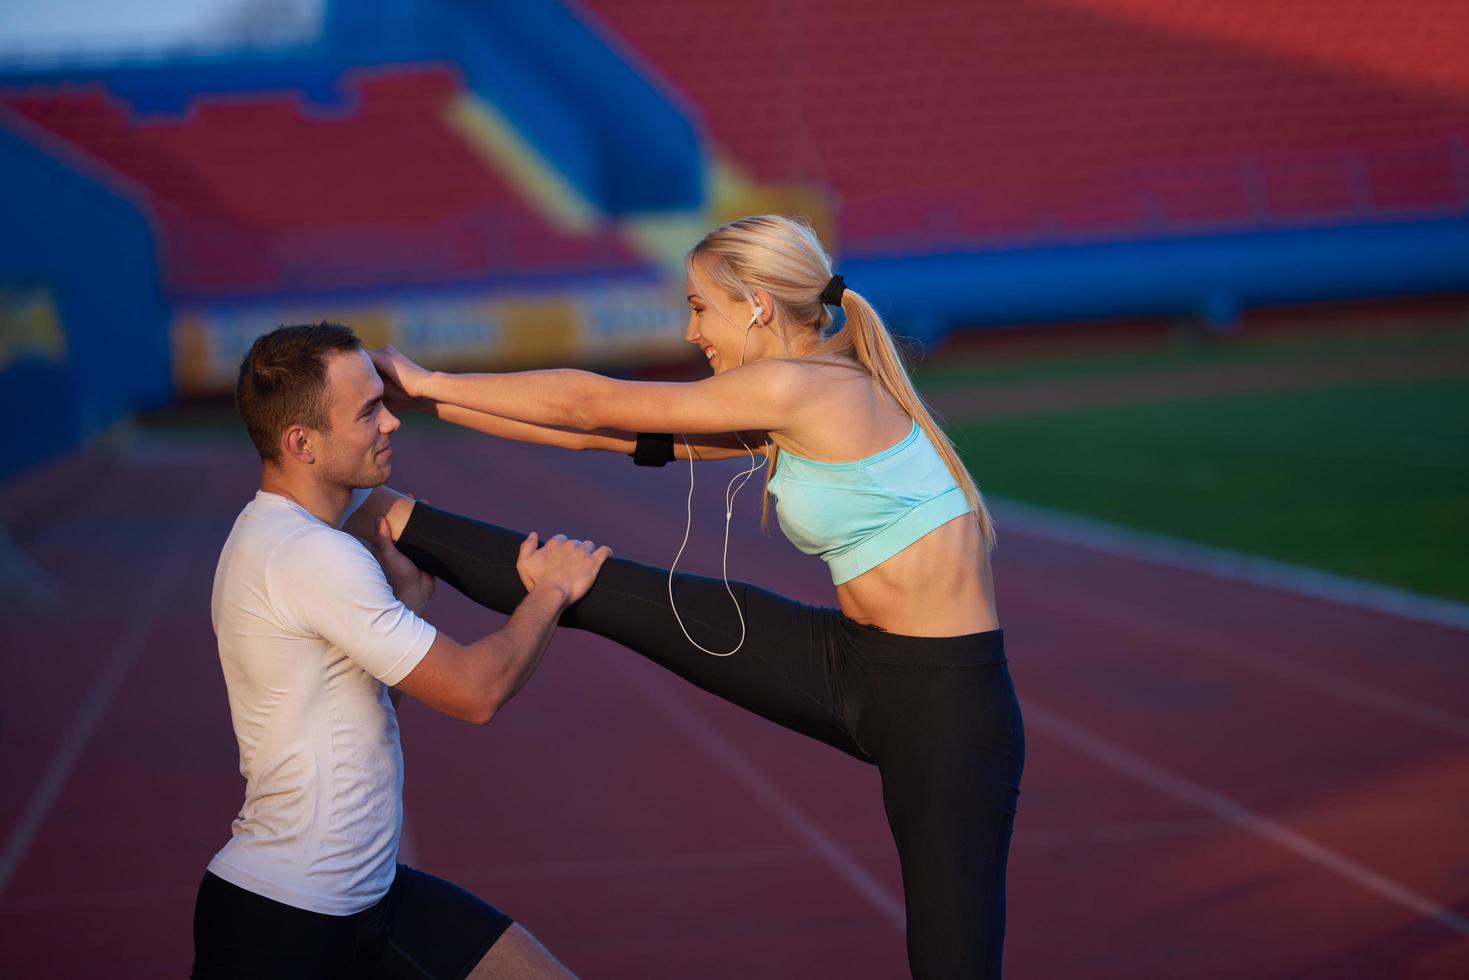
521,180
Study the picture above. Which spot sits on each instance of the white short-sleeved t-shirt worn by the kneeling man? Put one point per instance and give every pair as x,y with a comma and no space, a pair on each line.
311,635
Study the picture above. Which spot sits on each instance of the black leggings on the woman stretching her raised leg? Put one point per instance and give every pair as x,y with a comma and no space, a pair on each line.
936,715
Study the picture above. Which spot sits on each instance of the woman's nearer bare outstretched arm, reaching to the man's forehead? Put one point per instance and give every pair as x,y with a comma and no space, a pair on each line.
763,396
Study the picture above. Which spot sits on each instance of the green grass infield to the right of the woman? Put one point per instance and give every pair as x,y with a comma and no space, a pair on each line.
1368,481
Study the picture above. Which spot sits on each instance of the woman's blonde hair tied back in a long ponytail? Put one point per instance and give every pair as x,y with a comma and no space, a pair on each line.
785,258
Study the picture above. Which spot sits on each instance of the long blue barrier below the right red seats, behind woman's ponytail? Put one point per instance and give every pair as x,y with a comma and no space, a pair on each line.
1211,277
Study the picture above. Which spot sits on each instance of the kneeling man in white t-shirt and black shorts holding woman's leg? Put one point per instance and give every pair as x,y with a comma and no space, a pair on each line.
314,633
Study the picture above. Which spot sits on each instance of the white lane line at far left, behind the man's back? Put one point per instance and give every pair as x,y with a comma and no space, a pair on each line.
105,687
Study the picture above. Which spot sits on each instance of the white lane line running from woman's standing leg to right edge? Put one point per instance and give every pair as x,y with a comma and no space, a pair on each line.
1098,749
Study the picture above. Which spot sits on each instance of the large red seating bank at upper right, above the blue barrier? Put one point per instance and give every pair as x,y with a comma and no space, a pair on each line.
1064,121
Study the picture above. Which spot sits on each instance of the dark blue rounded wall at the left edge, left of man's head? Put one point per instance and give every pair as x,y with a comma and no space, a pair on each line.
89,255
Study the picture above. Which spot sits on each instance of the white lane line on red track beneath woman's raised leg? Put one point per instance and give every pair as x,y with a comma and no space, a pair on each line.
744,771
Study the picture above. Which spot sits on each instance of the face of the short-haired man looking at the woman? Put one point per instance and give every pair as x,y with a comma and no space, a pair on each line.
355,453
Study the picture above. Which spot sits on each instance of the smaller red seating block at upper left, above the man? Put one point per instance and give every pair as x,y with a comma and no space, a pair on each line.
265,193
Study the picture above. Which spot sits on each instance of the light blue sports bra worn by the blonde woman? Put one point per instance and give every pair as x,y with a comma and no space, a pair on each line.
860,515
